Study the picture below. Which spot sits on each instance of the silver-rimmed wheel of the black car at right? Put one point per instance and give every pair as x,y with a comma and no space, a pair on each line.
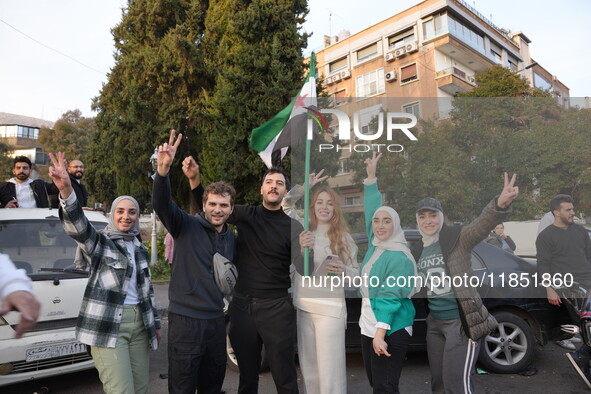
510,348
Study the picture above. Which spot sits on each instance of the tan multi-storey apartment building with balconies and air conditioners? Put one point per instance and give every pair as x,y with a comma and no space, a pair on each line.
417,61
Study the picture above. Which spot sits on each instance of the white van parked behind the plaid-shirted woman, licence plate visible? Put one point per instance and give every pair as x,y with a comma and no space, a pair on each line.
36,242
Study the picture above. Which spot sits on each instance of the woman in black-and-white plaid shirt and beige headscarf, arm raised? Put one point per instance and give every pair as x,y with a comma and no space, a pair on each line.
118,316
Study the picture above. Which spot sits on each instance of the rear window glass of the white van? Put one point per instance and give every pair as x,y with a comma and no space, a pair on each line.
38,245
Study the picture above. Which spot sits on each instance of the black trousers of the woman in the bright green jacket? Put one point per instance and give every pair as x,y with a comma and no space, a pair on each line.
384,372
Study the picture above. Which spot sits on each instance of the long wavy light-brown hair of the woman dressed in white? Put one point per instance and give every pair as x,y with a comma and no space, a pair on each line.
338,230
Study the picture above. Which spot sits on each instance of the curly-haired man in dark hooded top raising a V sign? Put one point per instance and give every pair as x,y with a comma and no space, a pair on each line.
196,323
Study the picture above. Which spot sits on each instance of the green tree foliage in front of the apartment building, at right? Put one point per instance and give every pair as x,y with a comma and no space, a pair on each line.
504,125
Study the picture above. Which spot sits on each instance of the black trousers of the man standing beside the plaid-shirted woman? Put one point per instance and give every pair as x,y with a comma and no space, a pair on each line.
196,354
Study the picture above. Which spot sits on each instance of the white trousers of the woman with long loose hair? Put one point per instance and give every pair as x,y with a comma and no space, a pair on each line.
321,351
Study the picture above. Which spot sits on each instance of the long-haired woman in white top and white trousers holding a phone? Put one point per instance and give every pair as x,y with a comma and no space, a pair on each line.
322,313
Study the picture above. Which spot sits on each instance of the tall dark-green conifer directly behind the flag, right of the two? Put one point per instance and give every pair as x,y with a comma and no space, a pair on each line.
254,48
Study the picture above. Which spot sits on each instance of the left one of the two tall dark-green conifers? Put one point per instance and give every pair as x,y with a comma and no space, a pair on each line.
155,85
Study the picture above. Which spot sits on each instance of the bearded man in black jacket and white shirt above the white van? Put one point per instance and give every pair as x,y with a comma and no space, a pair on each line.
23,192
